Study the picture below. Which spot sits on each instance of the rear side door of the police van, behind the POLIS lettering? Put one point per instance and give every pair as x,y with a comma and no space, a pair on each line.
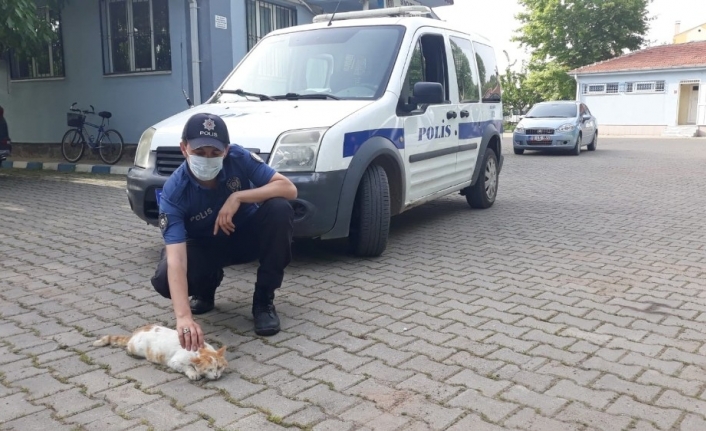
469,108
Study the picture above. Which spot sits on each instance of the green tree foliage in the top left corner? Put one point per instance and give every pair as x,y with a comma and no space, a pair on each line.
23,29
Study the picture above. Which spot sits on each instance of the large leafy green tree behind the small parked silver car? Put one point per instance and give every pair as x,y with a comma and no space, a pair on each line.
575,33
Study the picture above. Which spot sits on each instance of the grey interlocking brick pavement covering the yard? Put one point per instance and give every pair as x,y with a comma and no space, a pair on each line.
576,303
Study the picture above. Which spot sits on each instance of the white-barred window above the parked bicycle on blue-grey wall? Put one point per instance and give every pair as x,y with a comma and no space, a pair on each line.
135,35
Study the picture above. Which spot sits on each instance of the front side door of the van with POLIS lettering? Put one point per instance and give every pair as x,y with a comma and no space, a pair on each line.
430,130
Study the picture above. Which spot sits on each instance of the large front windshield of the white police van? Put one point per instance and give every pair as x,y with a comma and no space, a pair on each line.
327,63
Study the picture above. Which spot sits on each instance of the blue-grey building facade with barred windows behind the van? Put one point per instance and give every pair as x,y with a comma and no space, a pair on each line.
140,75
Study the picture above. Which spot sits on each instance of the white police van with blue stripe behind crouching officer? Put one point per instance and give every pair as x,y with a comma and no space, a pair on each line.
369,113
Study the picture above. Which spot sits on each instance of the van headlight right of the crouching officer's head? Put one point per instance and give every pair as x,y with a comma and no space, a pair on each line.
297,150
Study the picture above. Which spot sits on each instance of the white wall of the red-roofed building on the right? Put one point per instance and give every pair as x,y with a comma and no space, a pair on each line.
636,109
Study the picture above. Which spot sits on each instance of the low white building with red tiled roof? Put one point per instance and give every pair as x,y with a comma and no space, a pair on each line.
655,91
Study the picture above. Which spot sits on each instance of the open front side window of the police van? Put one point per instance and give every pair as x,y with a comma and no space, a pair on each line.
428,64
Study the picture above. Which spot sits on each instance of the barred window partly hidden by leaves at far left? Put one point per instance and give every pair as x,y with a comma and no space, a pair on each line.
49,63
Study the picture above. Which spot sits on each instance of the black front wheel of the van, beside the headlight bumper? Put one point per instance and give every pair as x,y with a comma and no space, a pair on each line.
370,221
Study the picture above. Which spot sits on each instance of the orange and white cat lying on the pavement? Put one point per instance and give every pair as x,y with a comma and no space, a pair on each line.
160,345
